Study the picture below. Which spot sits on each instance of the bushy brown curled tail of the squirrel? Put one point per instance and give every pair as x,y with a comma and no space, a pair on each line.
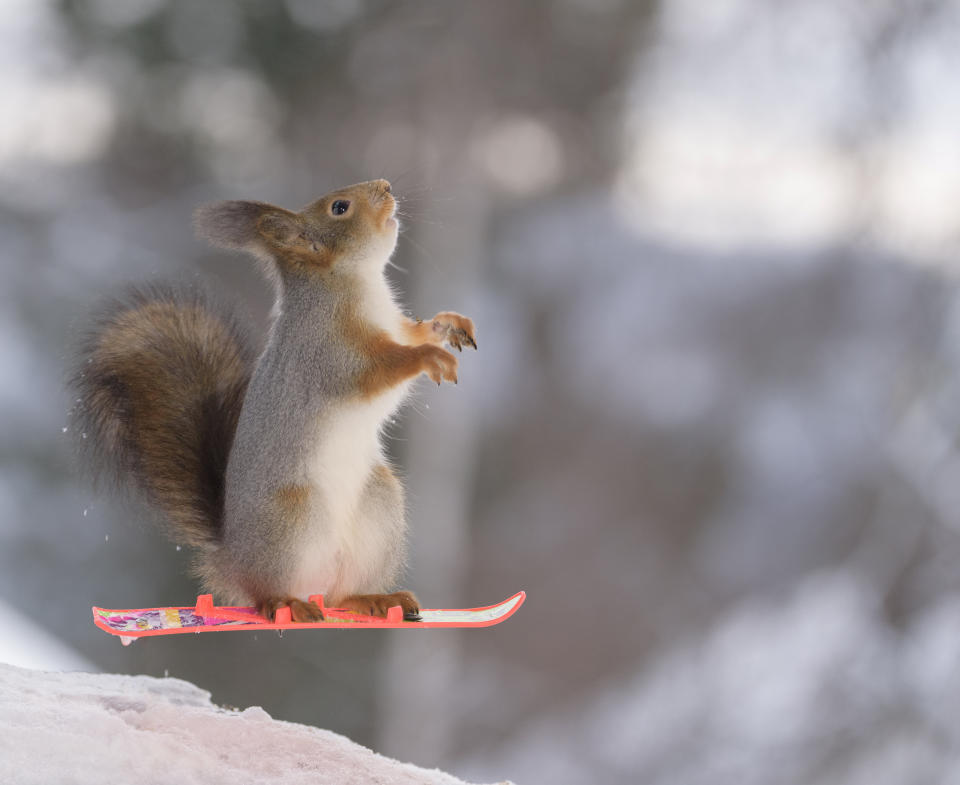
158,383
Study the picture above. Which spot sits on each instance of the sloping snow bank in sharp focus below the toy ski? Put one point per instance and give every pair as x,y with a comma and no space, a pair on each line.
93,728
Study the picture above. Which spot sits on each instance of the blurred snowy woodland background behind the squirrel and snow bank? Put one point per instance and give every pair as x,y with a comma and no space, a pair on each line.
711,428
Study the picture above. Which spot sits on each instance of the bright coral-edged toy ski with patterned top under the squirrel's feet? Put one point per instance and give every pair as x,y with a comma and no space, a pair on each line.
207,617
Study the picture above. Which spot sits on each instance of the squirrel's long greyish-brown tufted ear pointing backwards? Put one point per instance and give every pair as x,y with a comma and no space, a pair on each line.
244,225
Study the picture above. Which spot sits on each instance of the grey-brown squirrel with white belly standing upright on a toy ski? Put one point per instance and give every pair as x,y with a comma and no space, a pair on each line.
272,467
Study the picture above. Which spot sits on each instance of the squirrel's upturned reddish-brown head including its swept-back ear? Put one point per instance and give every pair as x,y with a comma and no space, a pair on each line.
352,230
